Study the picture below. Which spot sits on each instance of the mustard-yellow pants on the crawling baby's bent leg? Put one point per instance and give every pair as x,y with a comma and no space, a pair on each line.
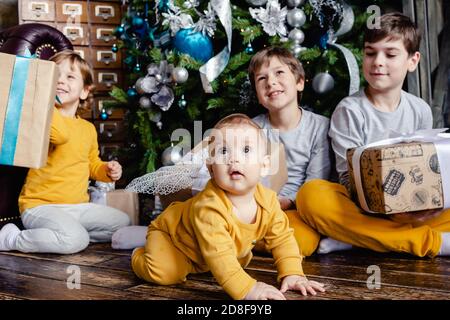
160,261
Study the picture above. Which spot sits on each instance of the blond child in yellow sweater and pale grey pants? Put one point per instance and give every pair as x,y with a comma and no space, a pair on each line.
54,202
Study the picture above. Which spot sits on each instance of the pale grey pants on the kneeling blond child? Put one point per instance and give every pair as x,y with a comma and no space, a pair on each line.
67,228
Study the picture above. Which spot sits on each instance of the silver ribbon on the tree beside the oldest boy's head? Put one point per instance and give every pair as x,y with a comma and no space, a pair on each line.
348,18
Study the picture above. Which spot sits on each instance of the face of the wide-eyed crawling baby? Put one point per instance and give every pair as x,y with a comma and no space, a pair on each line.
238,158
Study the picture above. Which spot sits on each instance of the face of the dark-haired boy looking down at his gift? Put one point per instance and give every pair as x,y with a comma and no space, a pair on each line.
386,63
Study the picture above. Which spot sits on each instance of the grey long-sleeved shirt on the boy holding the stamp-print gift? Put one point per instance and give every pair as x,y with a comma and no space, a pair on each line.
356,122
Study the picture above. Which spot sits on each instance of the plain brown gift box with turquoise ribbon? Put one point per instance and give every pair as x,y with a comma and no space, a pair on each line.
31,147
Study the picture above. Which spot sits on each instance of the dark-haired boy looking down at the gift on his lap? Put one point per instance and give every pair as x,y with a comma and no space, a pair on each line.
390,52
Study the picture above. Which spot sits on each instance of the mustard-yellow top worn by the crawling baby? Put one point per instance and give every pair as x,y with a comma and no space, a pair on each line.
210,234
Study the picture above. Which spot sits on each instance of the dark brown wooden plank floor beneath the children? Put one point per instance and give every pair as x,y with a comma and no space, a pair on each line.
106,274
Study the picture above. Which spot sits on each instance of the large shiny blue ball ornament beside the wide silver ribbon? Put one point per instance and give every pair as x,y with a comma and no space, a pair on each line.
195,44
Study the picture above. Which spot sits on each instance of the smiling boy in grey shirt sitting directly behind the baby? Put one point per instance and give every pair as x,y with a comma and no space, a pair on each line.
278,78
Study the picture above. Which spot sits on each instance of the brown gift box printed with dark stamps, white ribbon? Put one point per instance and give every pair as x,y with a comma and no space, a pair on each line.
398,178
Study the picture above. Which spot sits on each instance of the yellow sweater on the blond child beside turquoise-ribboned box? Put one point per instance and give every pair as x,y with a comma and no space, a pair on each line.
72,160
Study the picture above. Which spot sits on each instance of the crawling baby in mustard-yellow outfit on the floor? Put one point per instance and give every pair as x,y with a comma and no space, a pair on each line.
217,229
